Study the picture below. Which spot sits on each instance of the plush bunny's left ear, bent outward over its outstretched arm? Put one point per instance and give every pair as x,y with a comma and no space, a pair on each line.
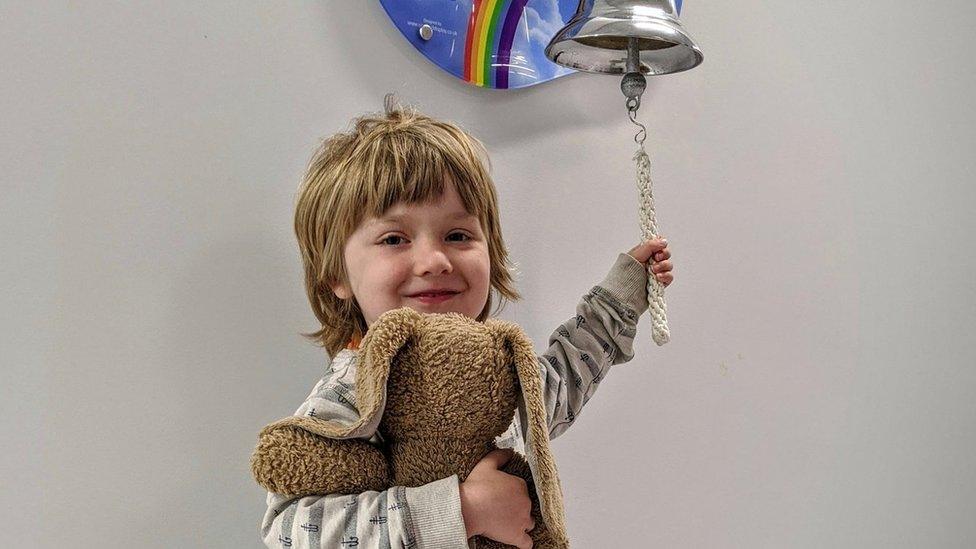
388,334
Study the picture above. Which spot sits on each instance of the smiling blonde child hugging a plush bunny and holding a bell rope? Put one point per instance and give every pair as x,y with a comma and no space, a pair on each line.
399,212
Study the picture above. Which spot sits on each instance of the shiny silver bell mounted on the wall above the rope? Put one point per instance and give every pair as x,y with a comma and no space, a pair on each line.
596,39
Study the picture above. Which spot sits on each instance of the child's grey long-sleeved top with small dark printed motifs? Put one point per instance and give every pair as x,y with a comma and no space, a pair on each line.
580,353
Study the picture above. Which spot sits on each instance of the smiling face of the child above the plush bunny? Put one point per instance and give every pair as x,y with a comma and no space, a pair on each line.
390,261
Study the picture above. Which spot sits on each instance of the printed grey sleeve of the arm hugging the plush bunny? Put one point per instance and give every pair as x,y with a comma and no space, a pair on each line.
427,516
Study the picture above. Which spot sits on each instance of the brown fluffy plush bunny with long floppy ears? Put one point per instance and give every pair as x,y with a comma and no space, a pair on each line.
439,388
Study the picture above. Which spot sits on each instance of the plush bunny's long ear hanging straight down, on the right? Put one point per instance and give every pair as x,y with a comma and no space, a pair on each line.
532,414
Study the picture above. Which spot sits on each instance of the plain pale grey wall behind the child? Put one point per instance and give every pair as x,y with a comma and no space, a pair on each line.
814,177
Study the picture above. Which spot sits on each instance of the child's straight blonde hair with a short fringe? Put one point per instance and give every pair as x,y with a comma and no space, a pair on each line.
400,156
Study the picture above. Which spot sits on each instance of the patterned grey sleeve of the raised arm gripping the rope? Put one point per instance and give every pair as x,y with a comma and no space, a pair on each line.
600,335
